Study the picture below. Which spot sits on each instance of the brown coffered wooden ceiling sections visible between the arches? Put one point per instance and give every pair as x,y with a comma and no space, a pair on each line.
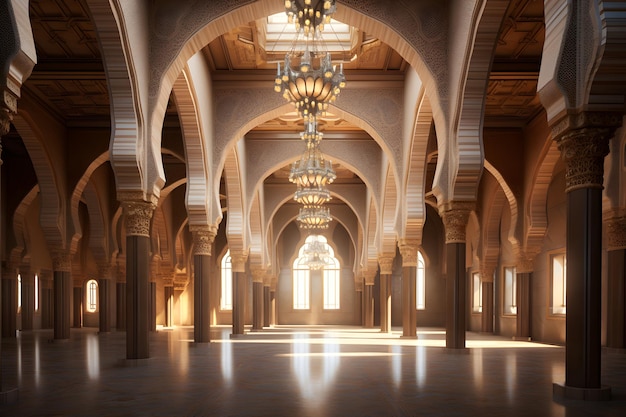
69,79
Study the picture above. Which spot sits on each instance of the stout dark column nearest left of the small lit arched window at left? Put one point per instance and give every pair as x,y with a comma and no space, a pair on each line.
61,267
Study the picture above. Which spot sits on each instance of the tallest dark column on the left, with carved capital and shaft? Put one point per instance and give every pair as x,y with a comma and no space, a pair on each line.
137,217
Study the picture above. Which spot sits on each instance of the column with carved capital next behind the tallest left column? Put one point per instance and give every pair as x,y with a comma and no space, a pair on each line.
203,237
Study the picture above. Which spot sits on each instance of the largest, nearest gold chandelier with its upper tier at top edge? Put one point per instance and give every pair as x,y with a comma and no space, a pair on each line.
311,82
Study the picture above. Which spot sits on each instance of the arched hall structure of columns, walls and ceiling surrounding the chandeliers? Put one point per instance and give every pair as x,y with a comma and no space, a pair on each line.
141,141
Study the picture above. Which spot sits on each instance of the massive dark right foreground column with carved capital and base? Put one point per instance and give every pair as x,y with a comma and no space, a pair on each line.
583,140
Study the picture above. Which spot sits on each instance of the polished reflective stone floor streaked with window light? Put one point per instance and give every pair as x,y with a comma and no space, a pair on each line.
294,371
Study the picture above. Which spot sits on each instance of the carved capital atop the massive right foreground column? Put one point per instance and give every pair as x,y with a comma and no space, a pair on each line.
583,151
